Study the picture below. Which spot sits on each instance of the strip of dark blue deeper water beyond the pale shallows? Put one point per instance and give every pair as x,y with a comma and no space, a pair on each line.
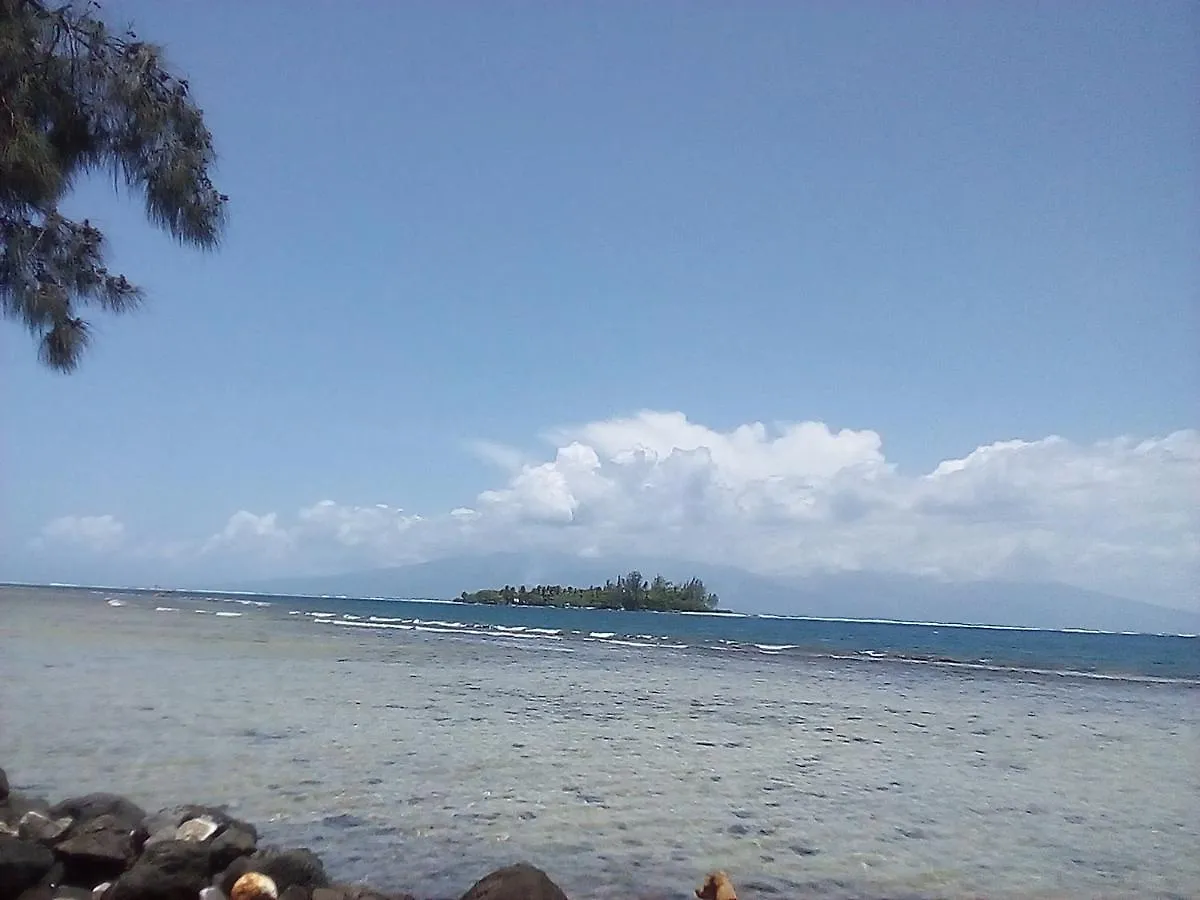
1100,655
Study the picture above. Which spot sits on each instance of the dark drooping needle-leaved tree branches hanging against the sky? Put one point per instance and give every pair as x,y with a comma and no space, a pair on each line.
75,99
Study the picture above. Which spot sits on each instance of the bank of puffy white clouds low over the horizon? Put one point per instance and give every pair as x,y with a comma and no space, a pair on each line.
788,500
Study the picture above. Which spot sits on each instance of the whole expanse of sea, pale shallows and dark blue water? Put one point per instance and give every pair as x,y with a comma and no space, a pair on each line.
418,746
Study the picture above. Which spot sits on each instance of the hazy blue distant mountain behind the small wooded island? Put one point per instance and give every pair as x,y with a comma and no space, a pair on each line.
848,595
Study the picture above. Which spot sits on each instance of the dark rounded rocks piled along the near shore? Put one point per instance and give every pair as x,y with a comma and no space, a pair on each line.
103,847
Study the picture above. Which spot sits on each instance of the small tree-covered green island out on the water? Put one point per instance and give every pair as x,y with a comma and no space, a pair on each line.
627,592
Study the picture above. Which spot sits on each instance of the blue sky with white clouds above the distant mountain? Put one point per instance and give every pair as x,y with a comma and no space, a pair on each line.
790,287
